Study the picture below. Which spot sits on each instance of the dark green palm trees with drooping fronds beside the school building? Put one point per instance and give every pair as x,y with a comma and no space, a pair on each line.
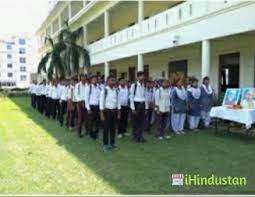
64,58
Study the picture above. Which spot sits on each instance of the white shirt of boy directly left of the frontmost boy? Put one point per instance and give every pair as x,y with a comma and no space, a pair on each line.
92,95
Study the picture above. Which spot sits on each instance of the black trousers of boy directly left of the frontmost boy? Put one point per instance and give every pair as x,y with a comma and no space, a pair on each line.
94,121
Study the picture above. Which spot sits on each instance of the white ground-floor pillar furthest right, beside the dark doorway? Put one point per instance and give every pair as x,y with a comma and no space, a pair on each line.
206,59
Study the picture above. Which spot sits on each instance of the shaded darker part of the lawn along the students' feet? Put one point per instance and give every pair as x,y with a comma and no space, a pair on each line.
147,168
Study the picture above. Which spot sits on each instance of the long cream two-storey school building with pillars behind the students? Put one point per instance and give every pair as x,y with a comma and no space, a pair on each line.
198,38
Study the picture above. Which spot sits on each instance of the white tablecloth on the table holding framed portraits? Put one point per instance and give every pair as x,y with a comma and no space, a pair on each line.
243,116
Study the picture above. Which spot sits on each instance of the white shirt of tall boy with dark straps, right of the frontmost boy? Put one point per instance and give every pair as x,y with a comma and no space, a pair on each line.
138,96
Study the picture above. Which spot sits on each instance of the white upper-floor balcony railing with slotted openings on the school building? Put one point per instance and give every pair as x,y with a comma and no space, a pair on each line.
168,19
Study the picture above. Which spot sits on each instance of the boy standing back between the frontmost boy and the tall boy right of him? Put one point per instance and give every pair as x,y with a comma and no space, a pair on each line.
123,94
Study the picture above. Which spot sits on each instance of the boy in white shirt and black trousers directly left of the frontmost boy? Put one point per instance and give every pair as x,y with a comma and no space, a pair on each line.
92,95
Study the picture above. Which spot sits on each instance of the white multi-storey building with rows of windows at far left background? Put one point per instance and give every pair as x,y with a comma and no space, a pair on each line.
14,62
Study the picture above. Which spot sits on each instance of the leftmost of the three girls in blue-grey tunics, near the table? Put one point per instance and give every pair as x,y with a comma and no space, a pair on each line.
179,105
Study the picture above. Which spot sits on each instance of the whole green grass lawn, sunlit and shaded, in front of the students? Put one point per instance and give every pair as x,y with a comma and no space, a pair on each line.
37,156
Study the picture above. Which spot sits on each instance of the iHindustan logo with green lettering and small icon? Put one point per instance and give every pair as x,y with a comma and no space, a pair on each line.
180,179
